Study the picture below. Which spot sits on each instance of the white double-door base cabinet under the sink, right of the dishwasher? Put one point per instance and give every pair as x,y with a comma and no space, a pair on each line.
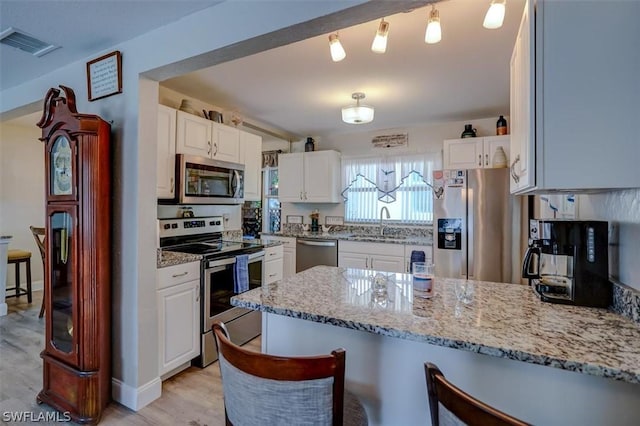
374,256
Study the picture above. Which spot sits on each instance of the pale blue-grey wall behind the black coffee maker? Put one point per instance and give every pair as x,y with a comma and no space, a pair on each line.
622,210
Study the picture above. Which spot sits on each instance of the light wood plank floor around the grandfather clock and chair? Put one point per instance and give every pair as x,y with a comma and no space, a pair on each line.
193,397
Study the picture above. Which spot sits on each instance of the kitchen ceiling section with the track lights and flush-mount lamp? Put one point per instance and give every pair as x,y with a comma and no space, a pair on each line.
299,89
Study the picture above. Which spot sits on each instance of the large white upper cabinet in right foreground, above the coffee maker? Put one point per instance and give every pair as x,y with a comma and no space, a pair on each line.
575,97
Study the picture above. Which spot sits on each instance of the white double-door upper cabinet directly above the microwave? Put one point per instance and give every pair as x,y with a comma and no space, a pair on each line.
205,138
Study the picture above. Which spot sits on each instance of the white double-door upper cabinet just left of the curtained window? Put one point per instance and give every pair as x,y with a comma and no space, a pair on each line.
309,177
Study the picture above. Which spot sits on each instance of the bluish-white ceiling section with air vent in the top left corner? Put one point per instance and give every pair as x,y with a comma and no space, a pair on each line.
81,28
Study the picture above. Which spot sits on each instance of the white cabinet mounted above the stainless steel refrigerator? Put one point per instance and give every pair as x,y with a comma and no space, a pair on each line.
473,153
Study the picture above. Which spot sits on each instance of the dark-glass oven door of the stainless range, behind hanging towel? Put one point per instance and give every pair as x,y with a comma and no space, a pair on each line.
218,289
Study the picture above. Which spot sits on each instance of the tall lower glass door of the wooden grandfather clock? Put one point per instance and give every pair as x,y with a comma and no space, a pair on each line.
62,244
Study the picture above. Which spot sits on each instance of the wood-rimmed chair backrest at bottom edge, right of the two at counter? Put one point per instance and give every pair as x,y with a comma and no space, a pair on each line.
450,405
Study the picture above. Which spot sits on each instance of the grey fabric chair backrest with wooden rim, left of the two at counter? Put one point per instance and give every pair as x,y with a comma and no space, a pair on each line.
262,389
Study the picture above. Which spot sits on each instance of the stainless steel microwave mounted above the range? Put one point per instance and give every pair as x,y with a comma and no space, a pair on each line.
201,180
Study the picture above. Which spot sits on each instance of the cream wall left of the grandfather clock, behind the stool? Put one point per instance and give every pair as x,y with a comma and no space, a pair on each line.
22,194
